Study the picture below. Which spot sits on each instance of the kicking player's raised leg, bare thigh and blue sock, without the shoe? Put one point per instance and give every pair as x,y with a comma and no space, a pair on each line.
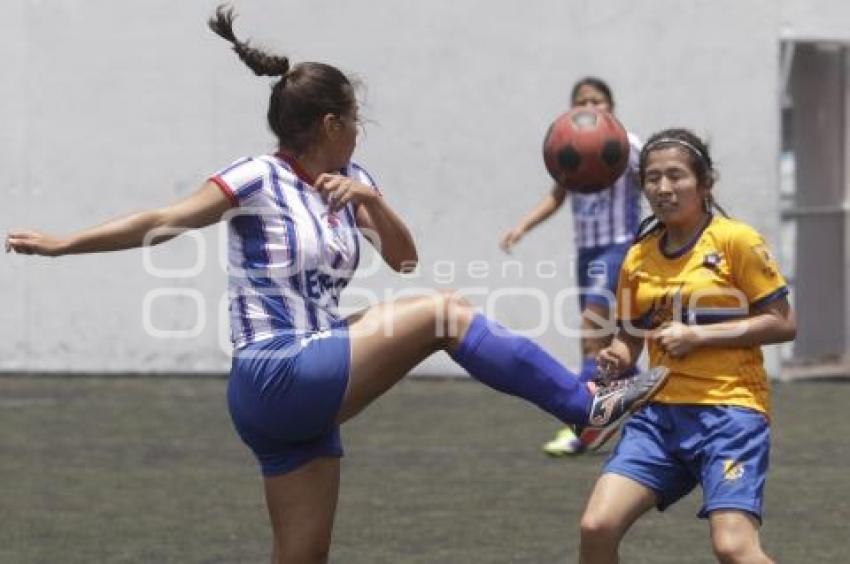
390,339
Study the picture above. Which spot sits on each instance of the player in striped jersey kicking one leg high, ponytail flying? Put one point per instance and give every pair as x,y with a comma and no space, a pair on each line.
299,370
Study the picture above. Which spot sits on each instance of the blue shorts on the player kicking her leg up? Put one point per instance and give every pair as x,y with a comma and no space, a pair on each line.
284,394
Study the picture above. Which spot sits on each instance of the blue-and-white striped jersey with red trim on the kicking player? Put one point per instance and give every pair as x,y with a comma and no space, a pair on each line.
289,258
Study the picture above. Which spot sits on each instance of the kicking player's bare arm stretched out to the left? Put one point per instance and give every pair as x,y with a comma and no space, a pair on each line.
150,227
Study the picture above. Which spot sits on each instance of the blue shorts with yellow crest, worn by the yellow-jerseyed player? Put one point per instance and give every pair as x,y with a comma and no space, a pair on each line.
672,448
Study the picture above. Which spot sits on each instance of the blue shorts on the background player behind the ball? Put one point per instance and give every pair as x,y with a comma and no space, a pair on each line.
597,271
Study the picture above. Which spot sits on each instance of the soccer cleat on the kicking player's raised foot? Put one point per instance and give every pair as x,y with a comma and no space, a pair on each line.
614,402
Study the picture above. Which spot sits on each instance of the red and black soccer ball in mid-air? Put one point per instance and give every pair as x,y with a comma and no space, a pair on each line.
586,150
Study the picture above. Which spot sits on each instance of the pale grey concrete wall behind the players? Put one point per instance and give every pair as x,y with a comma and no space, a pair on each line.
116,106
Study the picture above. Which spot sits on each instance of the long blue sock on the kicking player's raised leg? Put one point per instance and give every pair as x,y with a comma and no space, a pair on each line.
516,365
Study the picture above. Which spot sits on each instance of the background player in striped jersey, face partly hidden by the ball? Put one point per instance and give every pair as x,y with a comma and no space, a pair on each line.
604,225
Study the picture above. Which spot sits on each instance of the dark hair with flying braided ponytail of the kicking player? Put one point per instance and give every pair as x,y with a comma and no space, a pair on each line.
303,95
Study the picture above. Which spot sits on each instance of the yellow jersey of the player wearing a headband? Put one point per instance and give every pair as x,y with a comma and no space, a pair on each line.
725,273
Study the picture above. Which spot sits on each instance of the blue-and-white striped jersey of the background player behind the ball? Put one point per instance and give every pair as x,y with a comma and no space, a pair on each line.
612,215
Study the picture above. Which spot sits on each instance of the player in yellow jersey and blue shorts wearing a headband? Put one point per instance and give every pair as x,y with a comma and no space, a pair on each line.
704,292
